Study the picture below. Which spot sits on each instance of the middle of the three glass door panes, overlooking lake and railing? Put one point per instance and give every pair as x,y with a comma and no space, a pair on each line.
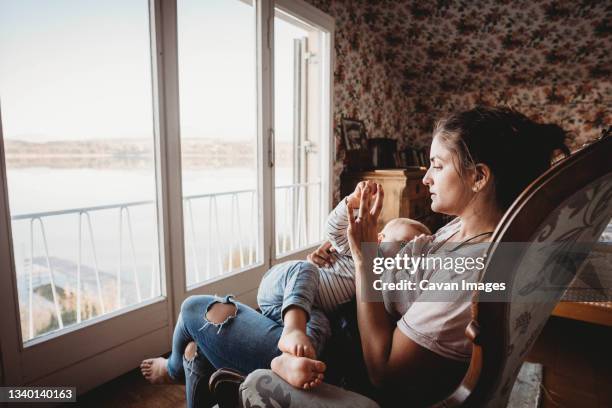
217,70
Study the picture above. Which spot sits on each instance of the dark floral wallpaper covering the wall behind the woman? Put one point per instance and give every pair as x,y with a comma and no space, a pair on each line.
400,65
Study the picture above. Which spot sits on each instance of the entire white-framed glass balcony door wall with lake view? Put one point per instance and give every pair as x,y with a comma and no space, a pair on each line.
150,150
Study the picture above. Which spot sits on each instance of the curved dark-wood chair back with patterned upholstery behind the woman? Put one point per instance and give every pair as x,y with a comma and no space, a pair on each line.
561,216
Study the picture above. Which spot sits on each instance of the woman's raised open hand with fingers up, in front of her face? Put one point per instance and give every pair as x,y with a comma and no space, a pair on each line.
363,229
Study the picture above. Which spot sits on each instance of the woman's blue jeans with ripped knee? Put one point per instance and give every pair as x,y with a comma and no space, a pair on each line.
245,342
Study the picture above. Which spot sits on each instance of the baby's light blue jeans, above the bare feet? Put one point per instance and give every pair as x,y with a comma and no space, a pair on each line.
294,283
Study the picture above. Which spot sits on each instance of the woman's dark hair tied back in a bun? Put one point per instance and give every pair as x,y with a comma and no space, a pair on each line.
516,149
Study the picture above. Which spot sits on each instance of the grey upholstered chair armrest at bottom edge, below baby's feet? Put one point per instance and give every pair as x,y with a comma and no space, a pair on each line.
265,389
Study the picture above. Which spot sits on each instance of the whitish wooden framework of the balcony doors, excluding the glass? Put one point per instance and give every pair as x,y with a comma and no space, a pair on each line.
83,356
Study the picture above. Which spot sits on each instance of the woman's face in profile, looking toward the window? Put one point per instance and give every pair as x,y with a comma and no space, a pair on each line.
450,194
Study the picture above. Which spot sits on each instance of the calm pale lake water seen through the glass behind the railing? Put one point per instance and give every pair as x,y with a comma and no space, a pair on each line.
38,189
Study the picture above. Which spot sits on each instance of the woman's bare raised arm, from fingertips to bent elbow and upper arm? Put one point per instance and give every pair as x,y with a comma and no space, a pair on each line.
391,357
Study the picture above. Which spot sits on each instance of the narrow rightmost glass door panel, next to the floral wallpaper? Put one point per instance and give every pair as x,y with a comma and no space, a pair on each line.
301,137
